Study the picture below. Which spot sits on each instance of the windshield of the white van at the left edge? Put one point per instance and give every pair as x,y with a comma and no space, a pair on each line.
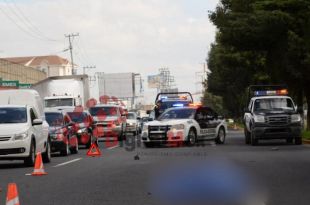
13,115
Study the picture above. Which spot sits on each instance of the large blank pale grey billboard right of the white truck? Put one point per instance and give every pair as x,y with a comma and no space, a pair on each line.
120,85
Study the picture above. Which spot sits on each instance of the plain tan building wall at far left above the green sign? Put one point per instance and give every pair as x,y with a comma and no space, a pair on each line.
15,72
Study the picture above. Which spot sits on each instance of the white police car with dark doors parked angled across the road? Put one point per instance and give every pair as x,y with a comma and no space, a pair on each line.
185,124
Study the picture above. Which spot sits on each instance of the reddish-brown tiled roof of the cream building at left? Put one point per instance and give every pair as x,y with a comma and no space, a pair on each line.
34,61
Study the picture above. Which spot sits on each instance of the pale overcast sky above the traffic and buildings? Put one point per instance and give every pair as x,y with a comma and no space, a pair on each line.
137,36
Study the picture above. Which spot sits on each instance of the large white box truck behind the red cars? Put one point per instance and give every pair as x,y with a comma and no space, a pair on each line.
63,91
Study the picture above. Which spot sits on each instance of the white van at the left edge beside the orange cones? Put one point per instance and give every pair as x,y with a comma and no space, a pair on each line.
23,129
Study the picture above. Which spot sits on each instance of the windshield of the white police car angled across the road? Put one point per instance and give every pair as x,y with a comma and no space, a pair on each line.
186,113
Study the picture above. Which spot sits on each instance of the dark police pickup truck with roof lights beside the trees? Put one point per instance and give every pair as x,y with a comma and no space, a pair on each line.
272,114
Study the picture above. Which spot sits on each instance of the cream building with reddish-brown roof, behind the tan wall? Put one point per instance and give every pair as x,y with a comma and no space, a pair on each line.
52,65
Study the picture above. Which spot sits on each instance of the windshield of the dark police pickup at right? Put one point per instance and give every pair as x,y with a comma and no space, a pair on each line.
269,104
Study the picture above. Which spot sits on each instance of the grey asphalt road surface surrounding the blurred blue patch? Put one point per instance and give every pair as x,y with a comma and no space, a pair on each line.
117,178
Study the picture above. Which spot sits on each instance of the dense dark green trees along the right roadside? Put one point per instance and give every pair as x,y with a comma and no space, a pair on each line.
258,42
